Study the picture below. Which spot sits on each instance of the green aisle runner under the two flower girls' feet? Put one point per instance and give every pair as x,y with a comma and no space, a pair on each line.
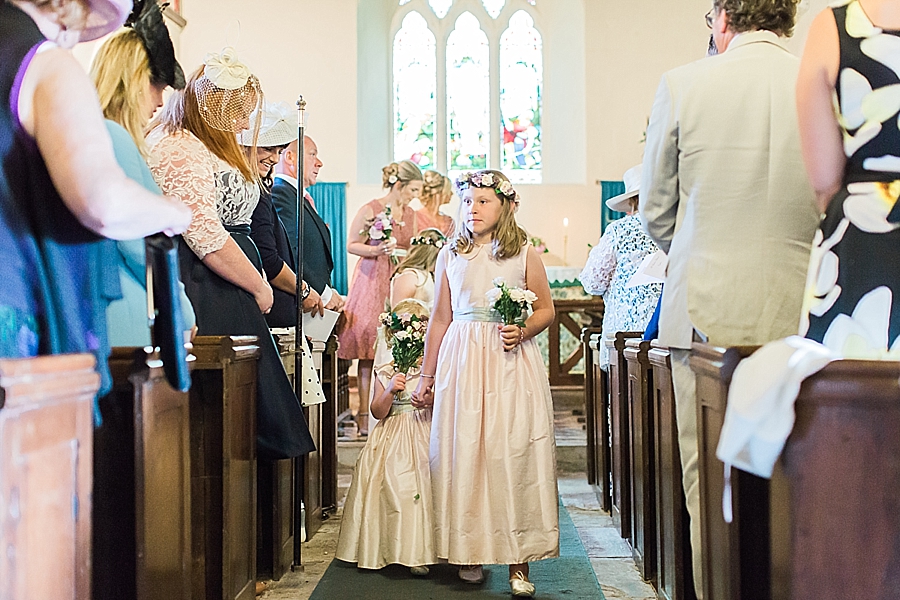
569,577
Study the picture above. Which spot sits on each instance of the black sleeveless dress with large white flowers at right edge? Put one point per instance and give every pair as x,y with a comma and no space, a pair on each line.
855,267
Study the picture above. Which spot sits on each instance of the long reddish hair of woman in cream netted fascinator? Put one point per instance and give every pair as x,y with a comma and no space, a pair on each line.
182,112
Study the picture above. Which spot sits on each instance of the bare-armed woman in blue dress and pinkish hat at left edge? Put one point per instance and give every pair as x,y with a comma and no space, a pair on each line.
60,186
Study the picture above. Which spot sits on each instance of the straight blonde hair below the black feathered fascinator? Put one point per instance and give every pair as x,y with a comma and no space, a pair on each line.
121,73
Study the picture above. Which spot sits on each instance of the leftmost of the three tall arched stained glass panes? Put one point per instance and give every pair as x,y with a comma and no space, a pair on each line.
415,91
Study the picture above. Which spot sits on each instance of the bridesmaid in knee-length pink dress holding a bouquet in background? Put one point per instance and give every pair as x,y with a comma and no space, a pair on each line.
371,281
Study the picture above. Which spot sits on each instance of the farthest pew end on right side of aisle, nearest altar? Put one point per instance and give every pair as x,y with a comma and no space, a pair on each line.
596,394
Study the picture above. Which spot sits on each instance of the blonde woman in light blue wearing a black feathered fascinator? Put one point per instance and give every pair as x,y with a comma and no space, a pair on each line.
131,69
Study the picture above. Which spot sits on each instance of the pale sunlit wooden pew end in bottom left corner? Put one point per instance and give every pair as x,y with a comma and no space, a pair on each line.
45,476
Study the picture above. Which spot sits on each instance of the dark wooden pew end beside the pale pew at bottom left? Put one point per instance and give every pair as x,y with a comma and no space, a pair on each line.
141,493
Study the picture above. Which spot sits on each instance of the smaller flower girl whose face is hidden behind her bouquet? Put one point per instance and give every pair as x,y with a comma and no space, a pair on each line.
388,517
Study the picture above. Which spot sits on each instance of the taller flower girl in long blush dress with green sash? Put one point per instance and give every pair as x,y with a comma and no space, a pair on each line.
493,456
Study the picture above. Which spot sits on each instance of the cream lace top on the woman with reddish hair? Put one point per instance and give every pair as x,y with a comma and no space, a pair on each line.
216,192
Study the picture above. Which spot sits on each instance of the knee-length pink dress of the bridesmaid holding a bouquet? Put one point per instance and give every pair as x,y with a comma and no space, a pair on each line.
369,288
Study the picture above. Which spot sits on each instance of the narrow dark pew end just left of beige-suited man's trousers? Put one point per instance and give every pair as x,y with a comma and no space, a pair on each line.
675,579
